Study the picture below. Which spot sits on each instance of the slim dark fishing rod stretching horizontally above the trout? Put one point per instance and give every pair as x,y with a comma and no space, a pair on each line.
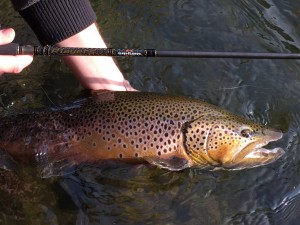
16,49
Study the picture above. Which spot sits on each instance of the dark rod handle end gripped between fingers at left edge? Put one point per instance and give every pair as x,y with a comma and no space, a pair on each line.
16,49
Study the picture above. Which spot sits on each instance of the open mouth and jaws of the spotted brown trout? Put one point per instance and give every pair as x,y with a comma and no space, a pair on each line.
254,154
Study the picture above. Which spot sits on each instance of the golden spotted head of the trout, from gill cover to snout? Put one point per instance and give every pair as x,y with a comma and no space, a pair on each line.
229,142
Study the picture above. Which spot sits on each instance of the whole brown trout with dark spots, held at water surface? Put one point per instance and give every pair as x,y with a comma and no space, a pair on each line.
170,132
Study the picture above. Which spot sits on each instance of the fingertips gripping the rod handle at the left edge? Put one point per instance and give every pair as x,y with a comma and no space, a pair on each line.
12,64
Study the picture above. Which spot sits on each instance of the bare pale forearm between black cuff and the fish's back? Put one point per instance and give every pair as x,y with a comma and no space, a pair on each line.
94,72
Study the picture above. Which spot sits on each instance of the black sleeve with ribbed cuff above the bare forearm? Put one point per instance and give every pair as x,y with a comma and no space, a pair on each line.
55,20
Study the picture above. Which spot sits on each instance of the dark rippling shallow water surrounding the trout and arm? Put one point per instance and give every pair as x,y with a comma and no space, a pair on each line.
266,91
